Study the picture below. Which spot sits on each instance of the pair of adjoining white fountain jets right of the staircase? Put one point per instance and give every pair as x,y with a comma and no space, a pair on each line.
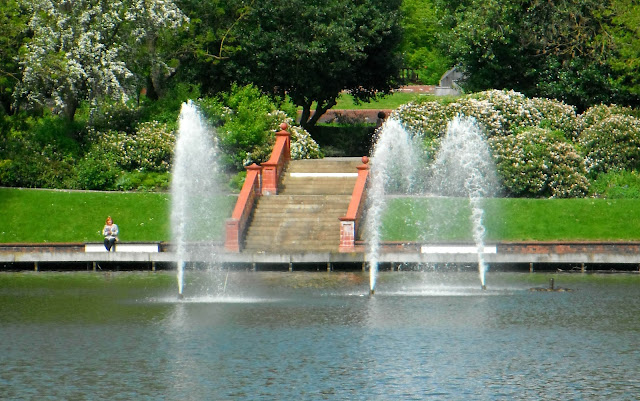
462,168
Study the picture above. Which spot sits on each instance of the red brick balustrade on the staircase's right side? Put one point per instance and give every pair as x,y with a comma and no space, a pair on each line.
349,223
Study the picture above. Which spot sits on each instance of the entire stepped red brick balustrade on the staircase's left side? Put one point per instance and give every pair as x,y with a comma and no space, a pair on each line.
254,185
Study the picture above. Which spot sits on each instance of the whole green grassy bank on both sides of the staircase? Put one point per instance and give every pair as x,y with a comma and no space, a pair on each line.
30,215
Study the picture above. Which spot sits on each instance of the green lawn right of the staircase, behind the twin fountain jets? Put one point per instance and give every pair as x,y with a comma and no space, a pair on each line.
509,219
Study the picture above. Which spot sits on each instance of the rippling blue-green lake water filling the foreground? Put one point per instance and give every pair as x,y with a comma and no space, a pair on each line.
317,336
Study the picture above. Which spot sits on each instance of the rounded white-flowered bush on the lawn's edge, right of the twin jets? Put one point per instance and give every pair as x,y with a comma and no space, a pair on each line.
539,162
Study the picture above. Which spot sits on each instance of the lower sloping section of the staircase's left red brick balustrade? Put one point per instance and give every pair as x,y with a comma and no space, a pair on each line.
237,224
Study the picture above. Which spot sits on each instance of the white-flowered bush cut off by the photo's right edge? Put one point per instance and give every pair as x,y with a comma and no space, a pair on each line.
612,143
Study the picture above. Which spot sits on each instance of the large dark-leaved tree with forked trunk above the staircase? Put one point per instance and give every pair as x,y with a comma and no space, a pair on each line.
313,50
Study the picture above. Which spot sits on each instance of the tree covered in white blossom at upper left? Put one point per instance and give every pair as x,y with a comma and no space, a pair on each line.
84,50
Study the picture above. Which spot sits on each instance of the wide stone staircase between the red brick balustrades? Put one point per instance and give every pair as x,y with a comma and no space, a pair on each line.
303,216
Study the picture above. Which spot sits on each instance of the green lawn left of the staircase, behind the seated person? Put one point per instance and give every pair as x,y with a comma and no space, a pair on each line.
35,215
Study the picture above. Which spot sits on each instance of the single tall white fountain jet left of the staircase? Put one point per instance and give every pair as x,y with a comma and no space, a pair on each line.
193,191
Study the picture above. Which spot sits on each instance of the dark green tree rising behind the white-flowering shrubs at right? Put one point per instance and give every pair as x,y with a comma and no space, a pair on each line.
555,49
